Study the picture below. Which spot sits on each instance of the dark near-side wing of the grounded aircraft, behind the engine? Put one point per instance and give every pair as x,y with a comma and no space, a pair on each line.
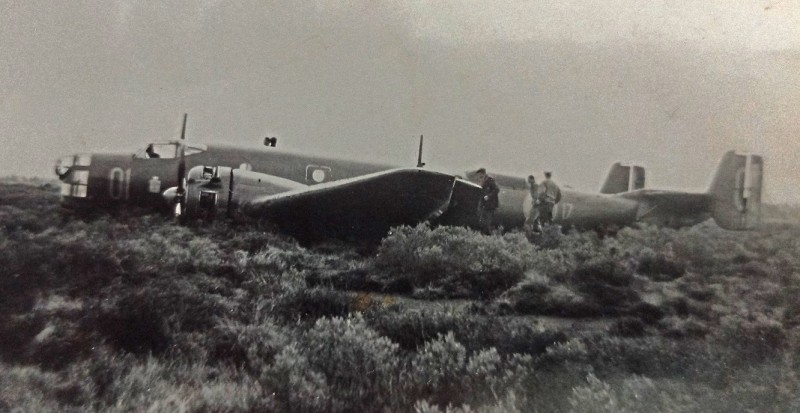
362,208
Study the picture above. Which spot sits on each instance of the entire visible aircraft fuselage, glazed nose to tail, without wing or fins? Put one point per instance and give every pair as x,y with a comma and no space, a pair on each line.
114,179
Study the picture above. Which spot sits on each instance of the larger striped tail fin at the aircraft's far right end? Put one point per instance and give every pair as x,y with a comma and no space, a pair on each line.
736,191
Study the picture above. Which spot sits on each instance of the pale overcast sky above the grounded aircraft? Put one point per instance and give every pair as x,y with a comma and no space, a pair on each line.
515,86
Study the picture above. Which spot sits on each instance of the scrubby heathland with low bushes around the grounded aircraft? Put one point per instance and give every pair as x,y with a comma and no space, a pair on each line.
129,312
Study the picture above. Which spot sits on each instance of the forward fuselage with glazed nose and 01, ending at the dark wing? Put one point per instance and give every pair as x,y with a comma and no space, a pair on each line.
114,179
